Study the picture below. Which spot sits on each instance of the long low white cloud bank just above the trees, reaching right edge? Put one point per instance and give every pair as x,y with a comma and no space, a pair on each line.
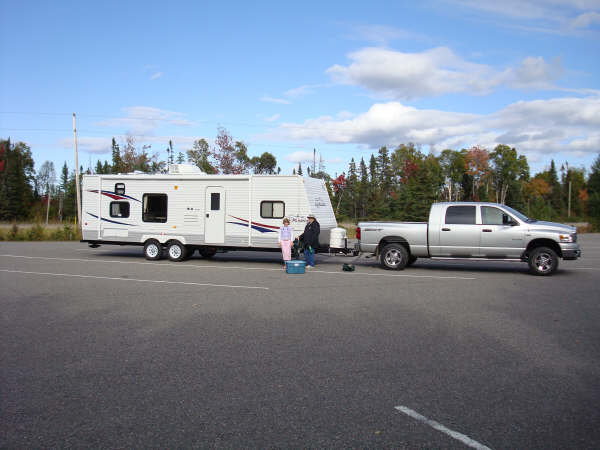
534,127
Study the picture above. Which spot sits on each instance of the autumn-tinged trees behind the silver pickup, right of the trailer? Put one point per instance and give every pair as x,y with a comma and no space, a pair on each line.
402,184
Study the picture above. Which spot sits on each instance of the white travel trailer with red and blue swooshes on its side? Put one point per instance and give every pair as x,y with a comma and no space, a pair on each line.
187,210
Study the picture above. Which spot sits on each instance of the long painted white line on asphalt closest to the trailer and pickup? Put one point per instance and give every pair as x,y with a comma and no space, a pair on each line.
221,267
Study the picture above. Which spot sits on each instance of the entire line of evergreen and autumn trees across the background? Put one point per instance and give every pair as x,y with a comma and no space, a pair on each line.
399,184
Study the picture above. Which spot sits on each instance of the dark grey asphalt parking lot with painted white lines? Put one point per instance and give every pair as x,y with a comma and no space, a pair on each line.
101,348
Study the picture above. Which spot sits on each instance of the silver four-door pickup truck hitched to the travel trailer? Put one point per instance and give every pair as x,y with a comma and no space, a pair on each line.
470,230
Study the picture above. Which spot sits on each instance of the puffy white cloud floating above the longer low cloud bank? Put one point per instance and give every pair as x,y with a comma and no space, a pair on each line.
436,72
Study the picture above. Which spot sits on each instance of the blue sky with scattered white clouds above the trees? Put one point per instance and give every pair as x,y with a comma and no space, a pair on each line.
341,77
